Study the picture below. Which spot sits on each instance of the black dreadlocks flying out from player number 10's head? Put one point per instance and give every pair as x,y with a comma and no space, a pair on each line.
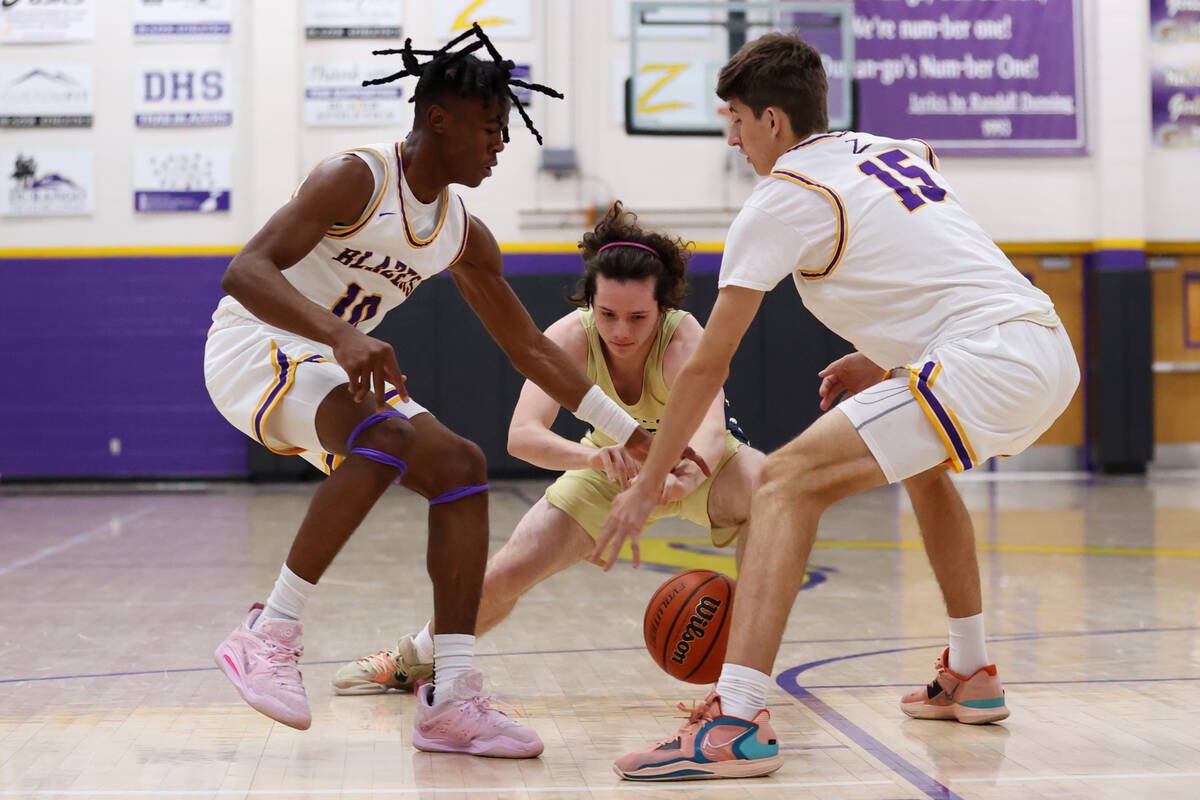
461,73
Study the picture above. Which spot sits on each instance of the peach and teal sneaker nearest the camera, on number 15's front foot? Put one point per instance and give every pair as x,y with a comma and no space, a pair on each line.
710,745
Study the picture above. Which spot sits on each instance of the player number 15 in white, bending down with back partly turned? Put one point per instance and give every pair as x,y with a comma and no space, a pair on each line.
959,359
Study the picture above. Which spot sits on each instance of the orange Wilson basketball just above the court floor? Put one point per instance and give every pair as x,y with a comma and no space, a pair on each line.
687,625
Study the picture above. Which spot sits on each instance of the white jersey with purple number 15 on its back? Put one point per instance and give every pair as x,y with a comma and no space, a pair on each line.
879,246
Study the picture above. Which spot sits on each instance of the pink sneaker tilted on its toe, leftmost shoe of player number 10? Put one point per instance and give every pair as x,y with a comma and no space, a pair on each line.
263,667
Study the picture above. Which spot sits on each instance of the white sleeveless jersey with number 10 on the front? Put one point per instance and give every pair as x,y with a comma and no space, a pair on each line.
364,270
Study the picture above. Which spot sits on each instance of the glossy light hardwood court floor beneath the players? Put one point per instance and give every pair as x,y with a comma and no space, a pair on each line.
112,601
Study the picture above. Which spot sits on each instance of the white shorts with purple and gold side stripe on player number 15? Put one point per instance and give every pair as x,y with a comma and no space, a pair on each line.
992,394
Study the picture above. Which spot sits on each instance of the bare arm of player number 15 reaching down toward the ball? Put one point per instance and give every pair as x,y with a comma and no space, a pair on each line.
692,396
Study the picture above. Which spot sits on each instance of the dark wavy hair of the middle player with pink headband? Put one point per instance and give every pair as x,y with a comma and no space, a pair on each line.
668,264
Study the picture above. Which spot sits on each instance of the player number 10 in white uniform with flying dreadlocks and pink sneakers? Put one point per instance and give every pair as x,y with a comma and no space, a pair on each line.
290,363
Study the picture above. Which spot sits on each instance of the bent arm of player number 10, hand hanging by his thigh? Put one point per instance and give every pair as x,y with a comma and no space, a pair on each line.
337,193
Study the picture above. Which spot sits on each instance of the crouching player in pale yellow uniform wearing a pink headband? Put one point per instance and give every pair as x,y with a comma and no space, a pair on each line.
632,338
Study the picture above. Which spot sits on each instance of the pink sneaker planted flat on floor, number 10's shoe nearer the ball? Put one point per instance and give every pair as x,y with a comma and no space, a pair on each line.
467,724
